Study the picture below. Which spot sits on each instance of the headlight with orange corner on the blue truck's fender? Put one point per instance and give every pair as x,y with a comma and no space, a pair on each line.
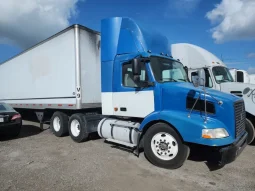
214,133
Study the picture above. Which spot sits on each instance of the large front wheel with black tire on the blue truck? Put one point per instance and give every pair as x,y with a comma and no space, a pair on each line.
156,147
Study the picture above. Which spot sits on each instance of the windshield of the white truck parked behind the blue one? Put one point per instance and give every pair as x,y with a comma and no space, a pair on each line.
222,74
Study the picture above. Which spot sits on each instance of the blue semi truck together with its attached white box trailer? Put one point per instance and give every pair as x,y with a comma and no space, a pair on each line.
128,88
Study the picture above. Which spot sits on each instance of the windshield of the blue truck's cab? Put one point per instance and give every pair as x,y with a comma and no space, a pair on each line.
166,70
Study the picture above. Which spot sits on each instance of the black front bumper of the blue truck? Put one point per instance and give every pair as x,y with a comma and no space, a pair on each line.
230,153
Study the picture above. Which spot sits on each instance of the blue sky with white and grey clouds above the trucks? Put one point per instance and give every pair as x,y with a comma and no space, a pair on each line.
224,27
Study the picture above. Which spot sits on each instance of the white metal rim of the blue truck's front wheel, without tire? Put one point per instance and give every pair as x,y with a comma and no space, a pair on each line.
164,146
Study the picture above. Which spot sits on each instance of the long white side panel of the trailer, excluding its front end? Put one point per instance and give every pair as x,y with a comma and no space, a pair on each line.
42,77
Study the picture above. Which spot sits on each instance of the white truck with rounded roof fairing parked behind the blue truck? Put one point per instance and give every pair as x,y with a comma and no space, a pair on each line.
218,77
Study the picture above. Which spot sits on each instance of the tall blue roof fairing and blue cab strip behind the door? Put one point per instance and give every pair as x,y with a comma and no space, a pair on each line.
122,36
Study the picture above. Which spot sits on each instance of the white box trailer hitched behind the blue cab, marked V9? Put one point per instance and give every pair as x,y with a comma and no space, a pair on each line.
53,74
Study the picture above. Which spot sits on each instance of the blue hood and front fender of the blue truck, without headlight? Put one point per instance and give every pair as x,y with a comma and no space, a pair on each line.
173,110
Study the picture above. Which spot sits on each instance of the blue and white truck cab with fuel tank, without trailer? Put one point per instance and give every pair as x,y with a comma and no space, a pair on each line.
149,100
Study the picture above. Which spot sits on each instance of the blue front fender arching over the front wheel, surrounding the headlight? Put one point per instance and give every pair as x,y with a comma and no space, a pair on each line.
190,128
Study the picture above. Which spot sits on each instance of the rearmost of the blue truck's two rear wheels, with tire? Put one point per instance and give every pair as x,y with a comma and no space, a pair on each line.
59,124
